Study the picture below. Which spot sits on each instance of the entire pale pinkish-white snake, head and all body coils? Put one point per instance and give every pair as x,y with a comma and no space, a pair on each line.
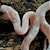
37,21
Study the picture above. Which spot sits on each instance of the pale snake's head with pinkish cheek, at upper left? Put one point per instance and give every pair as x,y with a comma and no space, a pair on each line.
9,12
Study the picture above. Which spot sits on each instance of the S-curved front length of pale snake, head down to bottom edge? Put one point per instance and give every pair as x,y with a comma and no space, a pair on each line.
13,16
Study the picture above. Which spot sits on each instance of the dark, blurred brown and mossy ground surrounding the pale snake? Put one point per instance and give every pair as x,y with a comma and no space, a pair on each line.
8,37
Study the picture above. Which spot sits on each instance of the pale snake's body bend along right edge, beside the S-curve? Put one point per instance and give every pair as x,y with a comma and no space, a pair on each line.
44,25
